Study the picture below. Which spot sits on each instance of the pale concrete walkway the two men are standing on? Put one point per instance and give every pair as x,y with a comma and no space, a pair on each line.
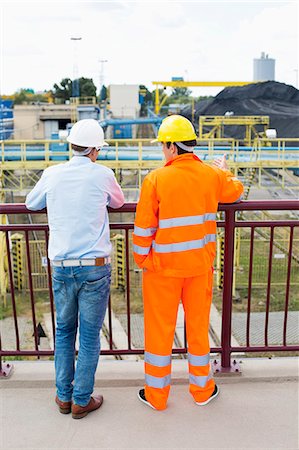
258,409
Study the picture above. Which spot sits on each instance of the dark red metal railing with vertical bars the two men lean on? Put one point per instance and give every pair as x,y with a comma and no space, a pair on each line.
230,224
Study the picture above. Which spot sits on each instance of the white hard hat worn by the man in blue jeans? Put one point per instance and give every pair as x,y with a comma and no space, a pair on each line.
87,133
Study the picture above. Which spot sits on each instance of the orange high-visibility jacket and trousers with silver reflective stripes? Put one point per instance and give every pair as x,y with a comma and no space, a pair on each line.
174,241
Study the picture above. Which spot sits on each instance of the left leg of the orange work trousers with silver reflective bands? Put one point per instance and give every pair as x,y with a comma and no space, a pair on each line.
161,296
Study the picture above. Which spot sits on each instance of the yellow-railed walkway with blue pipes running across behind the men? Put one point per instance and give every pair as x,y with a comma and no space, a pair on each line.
282,151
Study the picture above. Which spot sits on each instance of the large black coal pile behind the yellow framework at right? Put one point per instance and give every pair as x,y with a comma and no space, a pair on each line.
279,101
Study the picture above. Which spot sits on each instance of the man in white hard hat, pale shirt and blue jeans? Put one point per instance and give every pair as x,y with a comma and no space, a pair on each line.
76,195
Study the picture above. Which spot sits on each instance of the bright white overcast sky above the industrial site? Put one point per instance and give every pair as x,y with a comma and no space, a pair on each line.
145,41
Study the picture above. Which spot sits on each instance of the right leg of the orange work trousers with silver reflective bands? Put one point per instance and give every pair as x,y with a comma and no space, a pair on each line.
197,298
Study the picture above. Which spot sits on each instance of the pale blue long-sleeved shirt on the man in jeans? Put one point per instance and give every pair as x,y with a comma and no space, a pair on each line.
76,195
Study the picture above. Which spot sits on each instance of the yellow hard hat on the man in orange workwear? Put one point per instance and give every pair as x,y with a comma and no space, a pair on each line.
176,128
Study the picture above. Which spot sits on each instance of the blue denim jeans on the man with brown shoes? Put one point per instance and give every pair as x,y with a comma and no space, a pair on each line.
81,295
